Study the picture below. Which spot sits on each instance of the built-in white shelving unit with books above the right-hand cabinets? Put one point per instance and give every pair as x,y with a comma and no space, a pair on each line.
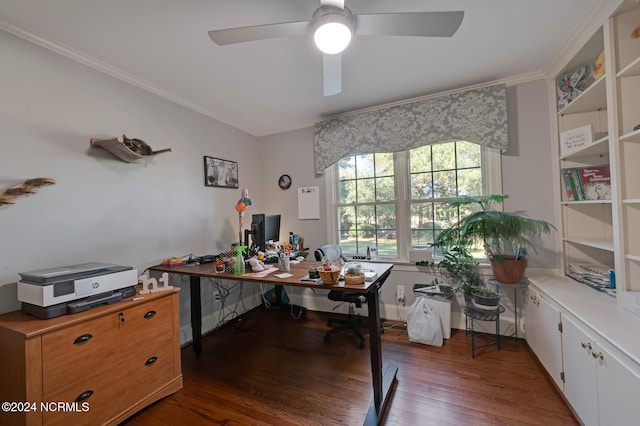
605,232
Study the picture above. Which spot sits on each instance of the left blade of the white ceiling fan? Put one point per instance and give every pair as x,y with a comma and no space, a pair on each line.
259,32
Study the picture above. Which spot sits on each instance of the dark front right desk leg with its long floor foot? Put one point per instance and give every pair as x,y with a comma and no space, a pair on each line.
381,384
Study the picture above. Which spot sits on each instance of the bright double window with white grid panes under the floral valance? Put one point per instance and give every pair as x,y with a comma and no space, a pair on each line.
391,203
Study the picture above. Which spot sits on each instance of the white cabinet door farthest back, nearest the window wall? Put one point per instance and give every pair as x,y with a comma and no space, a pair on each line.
543,335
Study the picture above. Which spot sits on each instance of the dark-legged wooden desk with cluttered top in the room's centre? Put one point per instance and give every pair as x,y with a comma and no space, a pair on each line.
382,383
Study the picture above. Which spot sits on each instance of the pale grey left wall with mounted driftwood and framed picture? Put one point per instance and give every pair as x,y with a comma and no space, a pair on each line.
103,209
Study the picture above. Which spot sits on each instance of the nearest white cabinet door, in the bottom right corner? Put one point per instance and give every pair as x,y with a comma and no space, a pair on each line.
618,388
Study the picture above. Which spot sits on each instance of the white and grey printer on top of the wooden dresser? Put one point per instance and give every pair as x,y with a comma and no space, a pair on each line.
47,293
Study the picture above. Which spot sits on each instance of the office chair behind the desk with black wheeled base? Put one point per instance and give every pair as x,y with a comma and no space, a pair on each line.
354,321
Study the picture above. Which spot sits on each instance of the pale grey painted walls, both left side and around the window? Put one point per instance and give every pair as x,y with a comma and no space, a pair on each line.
102,209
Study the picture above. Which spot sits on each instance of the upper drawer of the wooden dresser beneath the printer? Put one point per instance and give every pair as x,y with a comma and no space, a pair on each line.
86,350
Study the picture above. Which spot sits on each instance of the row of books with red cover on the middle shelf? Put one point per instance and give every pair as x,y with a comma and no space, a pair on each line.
587,183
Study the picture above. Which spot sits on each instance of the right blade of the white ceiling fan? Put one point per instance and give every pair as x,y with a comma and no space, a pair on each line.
419,24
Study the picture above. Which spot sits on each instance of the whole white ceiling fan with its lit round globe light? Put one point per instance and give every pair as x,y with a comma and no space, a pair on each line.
333,25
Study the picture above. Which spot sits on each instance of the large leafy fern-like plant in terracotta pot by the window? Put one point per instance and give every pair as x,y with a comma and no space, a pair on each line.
505,237
